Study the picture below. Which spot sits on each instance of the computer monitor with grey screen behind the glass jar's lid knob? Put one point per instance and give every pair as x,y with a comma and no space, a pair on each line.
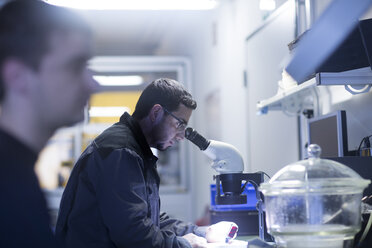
330,133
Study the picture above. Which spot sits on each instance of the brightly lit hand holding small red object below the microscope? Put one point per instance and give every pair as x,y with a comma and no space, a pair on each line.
220,231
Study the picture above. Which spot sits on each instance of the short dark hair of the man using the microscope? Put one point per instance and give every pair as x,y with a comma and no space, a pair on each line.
164,91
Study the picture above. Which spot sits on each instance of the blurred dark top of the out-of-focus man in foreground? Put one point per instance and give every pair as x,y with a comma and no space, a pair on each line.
24,219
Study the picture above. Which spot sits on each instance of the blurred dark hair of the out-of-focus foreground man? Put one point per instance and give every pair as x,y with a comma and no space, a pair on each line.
26,27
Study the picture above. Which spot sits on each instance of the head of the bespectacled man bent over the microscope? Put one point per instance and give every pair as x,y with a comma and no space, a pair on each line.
168,106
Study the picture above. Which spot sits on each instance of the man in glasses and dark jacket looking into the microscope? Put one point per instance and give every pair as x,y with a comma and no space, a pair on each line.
112,197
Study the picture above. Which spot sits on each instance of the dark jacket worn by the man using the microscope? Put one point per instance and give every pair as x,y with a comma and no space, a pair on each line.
112,197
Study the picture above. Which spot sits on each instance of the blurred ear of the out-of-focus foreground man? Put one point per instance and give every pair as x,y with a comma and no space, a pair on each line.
15,75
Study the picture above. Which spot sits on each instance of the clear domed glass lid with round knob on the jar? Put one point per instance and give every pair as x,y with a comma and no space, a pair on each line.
315,175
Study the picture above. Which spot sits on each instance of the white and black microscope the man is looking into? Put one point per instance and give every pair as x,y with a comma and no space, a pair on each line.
228,162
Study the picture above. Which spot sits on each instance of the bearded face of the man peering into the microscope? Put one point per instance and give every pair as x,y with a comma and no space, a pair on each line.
167,132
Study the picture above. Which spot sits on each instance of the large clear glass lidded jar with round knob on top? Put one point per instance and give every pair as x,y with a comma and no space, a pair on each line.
314,203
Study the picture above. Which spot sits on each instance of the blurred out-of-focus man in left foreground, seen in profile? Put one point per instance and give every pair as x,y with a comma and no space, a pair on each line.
44,85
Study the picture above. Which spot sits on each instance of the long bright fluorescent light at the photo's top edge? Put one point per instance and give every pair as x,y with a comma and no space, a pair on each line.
136,4
